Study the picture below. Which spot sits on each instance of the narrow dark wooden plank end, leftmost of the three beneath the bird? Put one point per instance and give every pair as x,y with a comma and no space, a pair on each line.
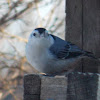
32,85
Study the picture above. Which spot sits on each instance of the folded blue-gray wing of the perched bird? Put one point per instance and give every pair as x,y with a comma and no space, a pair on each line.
64,49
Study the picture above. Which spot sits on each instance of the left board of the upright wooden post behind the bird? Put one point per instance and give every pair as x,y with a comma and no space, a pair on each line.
74,24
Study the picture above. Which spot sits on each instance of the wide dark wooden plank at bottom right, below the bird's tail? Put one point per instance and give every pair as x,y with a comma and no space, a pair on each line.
82,86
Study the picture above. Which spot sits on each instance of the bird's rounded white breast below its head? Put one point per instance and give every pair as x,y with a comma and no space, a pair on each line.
37,53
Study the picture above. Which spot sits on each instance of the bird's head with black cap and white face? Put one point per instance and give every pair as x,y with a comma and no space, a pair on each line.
40,36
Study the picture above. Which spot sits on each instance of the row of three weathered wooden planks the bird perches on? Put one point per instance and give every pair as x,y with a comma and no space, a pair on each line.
77,86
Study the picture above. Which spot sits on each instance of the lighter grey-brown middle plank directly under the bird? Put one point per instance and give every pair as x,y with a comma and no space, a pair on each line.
53,88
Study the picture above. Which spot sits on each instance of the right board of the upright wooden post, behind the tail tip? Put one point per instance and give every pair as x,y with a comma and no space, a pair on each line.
91,33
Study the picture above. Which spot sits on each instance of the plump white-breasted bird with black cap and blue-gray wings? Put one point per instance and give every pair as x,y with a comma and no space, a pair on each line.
52,55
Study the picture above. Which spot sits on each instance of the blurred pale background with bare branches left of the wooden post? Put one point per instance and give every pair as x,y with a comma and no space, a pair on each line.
17,20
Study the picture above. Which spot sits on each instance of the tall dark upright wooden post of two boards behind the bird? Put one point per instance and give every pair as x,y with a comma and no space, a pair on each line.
83,29
